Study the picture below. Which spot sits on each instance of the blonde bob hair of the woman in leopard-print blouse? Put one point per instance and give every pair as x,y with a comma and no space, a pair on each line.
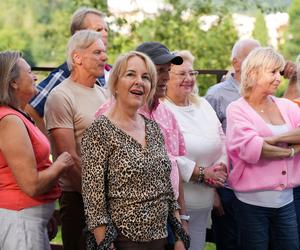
120,66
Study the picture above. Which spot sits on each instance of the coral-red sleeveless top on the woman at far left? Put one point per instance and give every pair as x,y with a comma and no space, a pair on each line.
11,196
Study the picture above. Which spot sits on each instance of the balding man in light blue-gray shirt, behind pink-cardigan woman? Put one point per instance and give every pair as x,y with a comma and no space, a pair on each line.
220,96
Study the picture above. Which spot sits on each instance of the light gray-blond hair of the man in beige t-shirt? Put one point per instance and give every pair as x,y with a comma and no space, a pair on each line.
80,40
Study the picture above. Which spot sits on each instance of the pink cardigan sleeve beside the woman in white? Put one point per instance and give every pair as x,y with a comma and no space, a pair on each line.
243,139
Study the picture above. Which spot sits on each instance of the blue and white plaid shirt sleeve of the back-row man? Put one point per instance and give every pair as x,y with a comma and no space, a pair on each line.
44,88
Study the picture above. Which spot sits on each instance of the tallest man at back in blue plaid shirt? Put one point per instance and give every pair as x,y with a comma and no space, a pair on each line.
83,18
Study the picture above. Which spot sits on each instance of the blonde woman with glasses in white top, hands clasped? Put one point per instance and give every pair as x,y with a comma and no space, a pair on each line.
204,166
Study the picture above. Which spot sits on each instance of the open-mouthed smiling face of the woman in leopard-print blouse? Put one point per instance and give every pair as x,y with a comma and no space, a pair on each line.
134,85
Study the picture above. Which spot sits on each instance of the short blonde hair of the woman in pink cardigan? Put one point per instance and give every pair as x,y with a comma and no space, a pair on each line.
259,60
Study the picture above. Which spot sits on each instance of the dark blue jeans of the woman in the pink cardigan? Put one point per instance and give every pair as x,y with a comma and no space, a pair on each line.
259,225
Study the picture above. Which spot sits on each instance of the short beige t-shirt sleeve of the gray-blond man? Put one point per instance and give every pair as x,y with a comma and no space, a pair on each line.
59,111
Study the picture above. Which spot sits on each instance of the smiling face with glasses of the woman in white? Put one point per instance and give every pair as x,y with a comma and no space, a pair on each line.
182,79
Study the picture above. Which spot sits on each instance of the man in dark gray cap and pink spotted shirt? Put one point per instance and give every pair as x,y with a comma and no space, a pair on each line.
156,110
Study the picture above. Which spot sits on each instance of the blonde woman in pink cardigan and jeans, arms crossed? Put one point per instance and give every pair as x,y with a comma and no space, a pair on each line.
262,138
